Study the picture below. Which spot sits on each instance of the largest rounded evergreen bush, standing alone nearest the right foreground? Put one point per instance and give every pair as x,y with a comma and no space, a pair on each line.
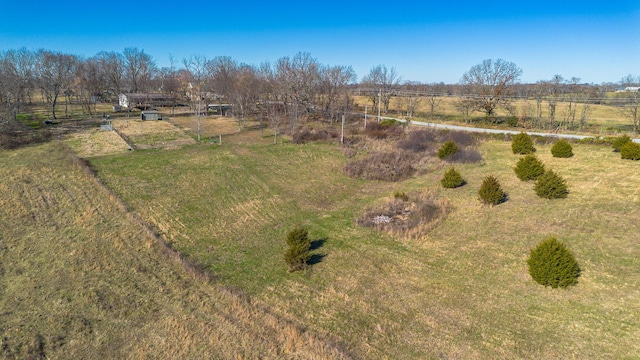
552,264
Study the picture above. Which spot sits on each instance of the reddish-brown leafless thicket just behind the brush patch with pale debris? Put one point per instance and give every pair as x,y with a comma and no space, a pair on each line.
387,166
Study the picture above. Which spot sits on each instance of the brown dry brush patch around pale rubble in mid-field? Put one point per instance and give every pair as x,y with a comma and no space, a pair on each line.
412,217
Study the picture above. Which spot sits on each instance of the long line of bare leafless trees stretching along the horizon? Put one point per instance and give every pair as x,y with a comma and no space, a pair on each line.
288,88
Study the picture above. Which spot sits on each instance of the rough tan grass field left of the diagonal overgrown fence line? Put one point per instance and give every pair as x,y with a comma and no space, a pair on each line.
82,278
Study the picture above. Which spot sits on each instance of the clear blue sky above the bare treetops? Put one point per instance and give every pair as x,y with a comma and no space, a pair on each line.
427,41
